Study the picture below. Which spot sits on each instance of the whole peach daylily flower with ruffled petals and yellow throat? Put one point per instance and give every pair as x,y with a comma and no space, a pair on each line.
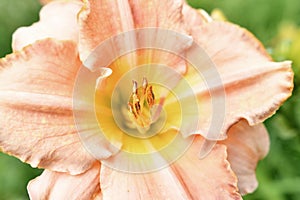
40,78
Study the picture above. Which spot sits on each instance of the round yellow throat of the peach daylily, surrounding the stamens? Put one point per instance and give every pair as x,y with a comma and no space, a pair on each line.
137,110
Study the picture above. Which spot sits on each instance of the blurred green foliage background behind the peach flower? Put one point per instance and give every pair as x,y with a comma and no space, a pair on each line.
275,22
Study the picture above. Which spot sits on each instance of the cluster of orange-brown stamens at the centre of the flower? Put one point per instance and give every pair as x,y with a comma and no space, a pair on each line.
140,104
